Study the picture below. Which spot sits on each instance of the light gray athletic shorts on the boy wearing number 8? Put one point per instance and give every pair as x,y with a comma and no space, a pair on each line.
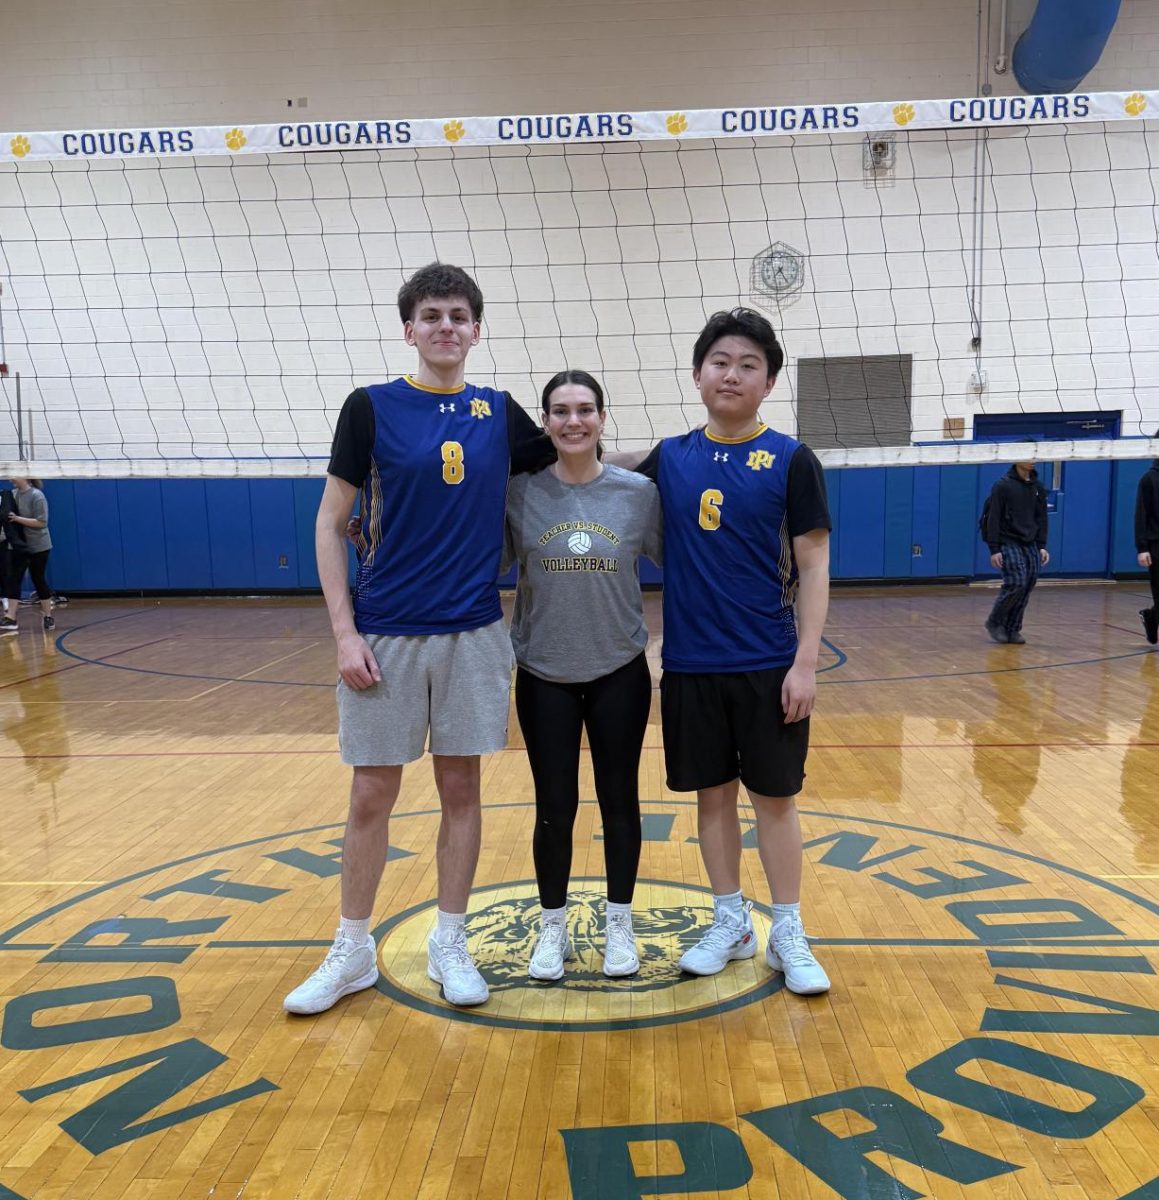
455,686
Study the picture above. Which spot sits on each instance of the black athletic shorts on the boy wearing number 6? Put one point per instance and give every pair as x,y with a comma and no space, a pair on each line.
718,728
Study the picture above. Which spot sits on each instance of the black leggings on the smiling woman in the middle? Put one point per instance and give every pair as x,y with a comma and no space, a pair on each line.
615,711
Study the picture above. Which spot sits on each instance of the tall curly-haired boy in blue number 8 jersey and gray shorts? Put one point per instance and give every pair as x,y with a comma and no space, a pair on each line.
424,651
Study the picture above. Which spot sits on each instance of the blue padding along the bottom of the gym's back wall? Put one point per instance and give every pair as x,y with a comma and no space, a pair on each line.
231,536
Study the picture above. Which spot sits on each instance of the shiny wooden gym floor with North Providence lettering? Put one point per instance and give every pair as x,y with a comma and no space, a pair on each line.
982,883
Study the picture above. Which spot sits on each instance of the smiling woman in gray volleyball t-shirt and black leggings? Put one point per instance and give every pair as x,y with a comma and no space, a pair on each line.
578,531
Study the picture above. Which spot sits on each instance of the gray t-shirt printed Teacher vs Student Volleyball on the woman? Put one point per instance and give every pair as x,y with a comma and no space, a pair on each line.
579,614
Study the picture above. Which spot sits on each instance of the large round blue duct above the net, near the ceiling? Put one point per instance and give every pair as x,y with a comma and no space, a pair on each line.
1062,44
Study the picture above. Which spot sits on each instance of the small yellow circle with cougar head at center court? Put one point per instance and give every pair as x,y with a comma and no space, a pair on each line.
503,926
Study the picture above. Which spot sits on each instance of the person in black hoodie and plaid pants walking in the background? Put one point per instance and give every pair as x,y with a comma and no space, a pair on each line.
1017,537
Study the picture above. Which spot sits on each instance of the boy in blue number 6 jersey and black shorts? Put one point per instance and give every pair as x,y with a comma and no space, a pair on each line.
747,537
